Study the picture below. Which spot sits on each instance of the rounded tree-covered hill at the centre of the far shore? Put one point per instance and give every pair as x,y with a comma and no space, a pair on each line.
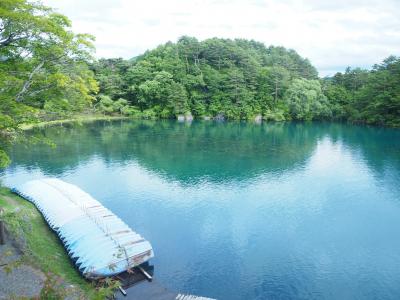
238,79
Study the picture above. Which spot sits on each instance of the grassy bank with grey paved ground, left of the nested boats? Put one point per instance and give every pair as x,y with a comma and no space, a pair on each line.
31,245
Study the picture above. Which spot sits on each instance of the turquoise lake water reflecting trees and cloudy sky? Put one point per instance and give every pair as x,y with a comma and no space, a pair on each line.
239,210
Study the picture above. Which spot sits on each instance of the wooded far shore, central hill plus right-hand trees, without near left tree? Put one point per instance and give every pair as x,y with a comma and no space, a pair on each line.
242,79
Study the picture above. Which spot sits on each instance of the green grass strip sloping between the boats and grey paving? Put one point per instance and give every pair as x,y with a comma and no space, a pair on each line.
42,248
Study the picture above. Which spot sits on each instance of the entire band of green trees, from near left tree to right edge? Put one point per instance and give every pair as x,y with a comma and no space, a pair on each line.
49,72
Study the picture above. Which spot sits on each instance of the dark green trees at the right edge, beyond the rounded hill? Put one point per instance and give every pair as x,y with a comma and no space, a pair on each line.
371,97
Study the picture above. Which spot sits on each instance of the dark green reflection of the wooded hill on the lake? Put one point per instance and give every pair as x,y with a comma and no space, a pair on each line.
215,151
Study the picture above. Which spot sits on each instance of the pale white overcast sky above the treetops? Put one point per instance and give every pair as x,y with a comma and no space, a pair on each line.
331,33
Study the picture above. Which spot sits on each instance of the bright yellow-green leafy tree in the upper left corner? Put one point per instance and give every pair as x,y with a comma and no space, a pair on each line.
43,66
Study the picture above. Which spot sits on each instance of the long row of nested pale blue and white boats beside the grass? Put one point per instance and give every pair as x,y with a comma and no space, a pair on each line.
99,243
